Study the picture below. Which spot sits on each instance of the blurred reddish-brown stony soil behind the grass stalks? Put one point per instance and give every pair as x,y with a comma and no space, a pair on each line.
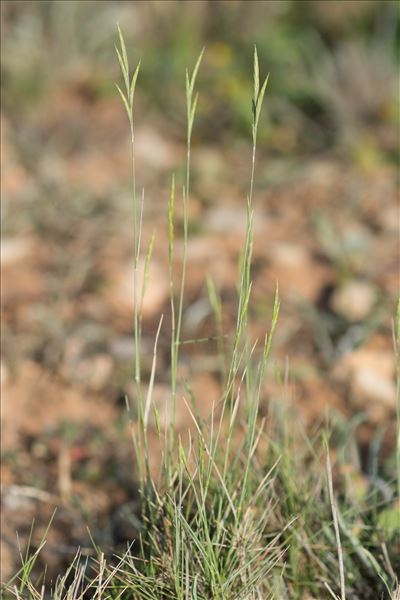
319,226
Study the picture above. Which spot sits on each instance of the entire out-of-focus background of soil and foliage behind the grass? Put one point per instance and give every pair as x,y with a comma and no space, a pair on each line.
326,228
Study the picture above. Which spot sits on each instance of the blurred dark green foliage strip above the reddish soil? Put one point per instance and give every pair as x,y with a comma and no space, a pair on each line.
332,64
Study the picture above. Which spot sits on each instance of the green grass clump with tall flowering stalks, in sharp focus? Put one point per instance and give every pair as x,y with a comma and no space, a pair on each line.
247,508
